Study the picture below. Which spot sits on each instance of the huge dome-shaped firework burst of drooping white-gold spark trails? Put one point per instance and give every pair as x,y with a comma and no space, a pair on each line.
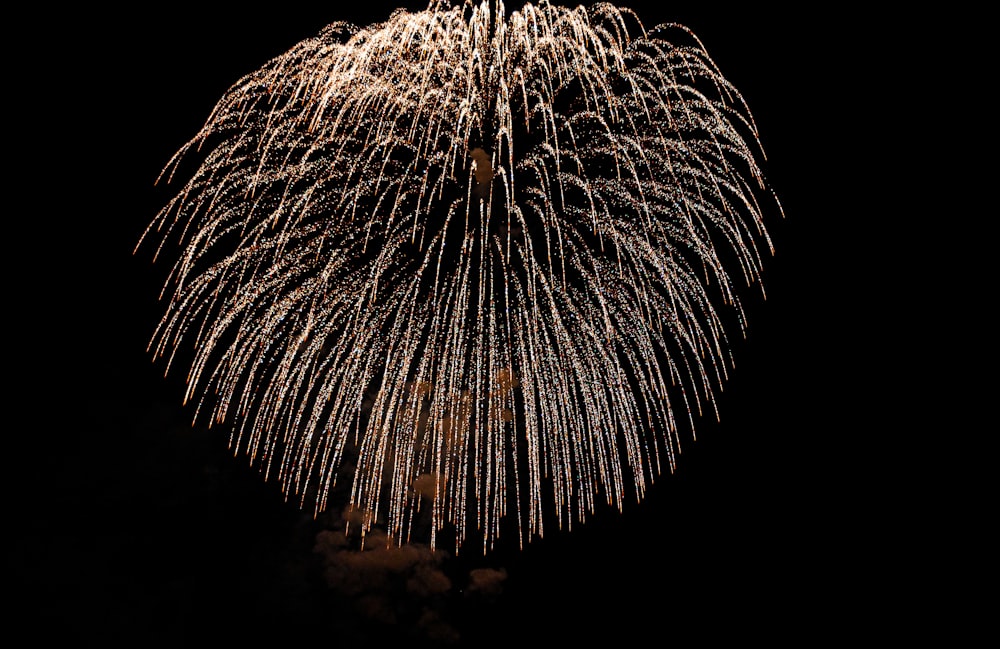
472,262
